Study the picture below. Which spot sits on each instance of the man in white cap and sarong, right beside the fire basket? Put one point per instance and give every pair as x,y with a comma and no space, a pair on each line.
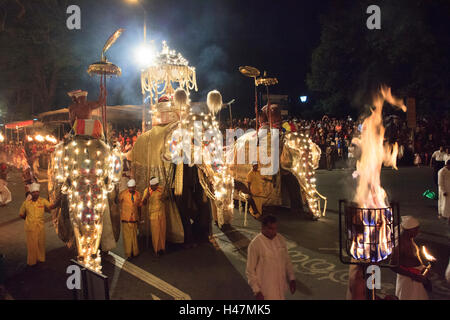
410,283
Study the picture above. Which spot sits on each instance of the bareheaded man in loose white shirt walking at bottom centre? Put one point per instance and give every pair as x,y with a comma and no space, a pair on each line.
268,263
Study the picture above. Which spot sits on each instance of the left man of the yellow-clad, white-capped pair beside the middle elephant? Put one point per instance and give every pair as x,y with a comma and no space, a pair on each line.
130,215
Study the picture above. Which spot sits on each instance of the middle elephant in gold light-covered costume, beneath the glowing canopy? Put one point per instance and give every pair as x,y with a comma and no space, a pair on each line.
154,153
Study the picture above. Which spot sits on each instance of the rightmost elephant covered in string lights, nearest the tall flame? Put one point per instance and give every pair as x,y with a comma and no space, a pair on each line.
287,163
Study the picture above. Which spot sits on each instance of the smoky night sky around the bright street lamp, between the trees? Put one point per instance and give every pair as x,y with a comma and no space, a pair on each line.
215,36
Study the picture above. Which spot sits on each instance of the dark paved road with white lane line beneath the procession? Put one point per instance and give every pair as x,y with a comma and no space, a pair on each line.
217,270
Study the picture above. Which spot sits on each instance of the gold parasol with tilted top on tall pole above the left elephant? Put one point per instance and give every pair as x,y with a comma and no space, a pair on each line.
105,68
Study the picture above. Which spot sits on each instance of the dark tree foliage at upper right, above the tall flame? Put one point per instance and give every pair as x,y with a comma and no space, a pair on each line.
409,53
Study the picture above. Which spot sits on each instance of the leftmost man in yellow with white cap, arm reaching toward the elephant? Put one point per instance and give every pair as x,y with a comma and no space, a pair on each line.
32,210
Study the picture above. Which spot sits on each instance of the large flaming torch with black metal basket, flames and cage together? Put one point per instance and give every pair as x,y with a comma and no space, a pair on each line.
370,221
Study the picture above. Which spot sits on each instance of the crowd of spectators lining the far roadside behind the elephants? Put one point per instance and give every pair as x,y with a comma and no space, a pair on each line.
333,136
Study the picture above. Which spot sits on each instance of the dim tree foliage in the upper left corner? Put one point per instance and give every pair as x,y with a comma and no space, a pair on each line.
36,54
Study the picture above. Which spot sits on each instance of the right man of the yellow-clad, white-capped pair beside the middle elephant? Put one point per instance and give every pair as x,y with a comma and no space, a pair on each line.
156,207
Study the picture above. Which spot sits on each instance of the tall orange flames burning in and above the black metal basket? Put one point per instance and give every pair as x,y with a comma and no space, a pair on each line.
375,152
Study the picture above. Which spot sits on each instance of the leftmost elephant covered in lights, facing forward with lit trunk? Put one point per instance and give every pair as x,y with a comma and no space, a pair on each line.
85,170
